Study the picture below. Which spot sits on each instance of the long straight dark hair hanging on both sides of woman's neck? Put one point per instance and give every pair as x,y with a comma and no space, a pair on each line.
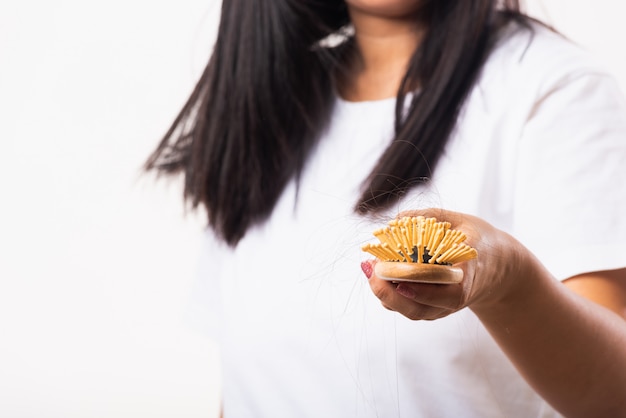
268,91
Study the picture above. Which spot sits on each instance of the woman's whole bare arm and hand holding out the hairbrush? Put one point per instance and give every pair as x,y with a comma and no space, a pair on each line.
561,337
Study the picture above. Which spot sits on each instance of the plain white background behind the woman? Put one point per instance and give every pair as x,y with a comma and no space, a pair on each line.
96,261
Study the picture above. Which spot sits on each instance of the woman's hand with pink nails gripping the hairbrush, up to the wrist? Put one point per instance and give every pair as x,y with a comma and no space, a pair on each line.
488,279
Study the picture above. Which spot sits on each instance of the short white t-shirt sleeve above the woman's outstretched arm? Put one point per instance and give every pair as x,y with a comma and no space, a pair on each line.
570,194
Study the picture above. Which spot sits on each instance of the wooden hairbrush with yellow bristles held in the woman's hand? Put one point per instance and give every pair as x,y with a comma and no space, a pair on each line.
419,249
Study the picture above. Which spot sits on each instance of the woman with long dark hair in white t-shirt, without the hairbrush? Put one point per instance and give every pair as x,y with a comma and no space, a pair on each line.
462,105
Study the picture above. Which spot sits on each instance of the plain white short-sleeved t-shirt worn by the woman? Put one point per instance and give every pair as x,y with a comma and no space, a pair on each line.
539,151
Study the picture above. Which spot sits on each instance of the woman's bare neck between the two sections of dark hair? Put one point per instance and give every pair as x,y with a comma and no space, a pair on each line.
385,46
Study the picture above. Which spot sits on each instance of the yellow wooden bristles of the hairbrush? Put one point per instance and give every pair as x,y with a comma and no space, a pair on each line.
420,240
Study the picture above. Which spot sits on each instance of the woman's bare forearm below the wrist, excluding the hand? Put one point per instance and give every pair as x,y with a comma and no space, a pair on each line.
571,350
